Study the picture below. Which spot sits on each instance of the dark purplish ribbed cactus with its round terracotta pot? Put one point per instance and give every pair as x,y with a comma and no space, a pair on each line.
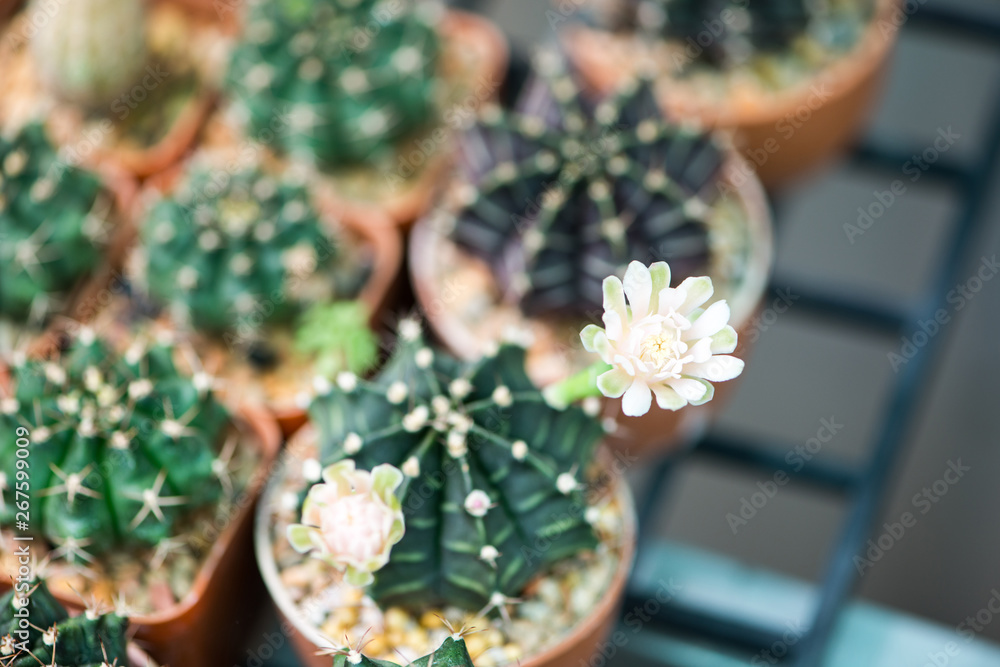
566,189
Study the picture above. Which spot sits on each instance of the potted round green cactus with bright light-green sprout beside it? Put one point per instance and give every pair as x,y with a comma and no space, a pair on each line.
276,288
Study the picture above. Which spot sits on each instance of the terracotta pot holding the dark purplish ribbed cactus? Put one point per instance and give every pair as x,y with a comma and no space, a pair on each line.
554,351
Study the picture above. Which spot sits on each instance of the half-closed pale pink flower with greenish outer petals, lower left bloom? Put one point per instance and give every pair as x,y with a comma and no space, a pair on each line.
352,520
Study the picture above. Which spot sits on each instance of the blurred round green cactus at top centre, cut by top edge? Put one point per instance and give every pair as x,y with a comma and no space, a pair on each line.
349,77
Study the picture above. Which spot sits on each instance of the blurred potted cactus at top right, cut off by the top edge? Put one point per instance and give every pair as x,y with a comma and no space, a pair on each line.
794,79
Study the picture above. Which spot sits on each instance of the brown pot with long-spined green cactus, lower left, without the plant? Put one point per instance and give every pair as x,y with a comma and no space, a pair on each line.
207,627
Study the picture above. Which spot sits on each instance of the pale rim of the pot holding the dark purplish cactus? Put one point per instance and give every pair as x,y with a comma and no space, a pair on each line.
743,302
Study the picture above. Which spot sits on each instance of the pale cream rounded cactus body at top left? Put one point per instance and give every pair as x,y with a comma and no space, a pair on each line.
91,51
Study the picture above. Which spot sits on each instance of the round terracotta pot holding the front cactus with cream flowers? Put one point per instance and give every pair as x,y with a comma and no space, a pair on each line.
578,647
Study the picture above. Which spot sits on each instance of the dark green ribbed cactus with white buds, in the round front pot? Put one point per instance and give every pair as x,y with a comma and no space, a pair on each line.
492,490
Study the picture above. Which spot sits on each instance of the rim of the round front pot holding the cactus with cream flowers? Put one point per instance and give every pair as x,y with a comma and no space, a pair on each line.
584,629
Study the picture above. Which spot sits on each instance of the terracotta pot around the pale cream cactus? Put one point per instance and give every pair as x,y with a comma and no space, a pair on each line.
71,126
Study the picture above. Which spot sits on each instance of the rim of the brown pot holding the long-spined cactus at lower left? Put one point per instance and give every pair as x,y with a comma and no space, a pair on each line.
268,440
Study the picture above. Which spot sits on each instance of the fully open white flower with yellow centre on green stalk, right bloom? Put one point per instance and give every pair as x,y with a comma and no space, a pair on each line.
662,343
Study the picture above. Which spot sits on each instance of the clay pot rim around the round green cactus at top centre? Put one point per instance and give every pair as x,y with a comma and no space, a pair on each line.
418,196
